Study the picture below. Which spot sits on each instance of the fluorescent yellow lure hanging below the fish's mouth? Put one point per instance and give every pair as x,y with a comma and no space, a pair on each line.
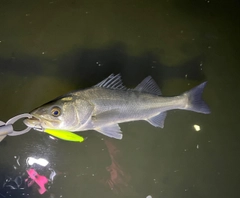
65,135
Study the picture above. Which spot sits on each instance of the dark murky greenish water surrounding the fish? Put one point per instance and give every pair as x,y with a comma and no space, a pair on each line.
48,48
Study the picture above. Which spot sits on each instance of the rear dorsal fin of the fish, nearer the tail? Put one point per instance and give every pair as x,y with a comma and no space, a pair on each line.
148,85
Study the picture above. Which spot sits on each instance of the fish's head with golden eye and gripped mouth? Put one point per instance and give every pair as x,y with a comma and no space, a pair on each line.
57,114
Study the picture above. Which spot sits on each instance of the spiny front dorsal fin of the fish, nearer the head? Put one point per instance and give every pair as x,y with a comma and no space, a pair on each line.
112,82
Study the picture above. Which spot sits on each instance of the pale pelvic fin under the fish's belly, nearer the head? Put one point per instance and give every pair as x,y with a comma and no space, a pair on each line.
113,131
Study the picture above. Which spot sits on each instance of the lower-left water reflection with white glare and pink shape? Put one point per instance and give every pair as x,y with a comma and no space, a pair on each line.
27,182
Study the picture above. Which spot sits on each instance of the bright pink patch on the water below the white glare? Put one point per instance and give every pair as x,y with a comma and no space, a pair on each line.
38,179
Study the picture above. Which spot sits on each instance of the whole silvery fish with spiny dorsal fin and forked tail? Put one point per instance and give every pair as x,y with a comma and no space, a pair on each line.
103,106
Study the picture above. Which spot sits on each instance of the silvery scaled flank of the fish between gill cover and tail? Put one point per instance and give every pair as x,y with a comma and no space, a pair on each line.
129,105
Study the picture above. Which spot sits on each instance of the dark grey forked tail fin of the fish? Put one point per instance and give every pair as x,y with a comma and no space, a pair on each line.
195,101
